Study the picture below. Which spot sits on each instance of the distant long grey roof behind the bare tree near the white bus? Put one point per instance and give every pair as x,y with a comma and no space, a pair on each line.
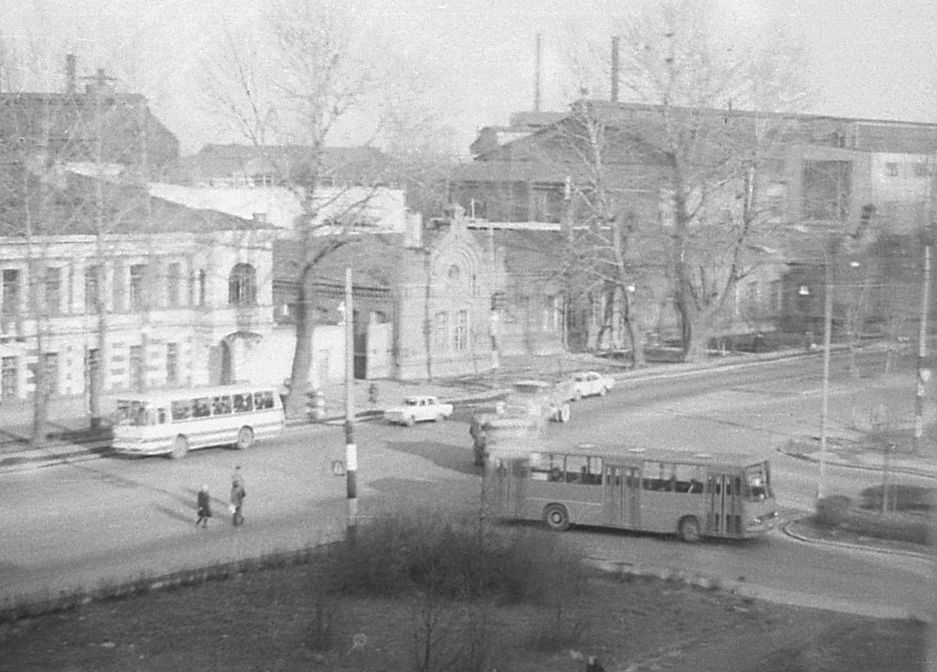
350,165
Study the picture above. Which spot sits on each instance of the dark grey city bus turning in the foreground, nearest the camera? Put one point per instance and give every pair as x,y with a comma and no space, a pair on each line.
689,494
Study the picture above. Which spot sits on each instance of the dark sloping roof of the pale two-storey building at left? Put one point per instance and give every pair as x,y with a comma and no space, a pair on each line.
66,205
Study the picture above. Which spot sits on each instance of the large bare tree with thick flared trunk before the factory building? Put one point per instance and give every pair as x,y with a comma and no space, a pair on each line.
713,157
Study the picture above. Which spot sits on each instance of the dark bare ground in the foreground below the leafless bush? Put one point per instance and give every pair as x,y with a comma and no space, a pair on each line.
269,620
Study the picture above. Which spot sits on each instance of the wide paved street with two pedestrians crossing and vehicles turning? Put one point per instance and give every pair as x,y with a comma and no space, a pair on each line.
86,523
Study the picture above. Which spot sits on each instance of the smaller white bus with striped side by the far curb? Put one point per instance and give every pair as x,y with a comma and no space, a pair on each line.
176,421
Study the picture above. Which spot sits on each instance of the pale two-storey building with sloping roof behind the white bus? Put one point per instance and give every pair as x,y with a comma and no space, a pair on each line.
173,297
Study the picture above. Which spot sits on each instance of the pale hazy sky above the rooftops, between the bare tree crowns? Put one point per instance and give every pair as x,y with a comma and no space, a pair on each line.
866,58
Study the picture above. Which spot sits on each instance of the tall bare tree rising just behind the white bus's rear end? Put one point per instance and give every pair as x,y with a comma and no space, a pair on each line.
317,75
